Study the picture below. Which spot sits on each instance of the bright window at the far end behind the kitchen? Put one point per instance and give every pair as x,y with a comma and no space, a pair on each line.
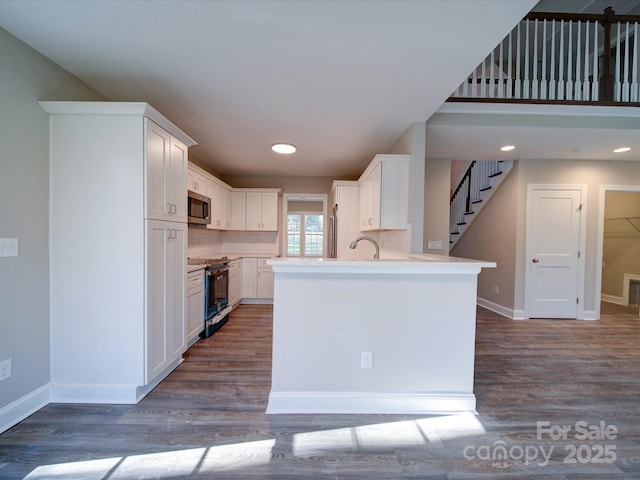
305,234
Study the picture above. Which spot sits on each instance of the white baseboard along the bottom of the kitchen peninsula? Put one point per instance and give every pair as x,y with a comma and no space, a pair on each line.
370,403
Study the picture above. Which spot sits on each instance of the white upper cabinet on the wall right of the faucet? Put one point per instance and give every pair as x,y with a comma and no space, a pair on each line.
384,193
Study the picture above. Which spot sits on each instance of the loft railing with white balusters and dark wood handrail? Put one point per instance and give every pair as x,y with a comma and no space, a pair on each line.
562,57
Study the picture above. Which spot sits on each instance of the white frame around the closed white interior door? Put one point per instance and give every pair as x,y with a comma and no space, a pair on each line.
582,243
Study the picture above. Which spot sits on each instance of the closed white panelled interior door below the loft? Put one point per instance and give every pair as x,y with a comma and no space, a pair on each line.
553,252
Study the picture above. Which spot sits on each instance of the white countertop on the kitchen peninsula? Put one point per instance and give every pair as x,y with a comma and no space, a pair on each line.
413,263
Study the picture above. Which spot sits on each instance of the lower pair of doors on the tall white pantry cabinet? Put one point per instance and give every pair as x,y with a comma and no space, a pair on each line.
166,291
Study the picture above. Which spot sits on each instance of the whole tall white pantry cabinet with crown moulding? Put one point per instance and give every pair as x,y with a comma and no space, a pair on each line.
118,247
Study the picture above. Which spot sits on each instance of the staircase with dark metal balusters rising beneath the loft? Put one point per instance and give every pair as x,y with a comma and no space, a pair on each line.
476,187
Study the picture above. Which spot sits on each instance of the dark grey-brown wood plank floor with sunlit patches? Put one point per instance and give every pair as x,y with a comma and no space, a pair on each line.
206,420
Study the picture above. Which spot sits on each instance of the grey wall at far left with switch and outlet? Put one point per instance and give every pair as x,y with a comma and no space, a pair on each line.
26,77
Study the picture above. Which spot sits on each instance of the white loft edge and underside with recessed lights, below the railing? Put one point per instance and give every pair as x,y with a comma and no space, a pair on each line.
557,132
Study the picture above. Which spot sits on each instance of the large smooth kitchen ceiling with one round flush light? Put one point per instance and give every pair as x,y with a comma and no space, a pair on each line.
340,79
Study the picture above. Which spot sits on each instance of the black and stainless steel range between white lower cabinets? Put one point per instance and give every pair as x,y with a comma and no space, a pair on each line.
216,282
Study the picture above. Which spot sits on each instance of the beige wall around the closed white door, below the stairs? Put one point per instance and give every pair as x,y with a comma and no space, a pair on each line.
503,220
